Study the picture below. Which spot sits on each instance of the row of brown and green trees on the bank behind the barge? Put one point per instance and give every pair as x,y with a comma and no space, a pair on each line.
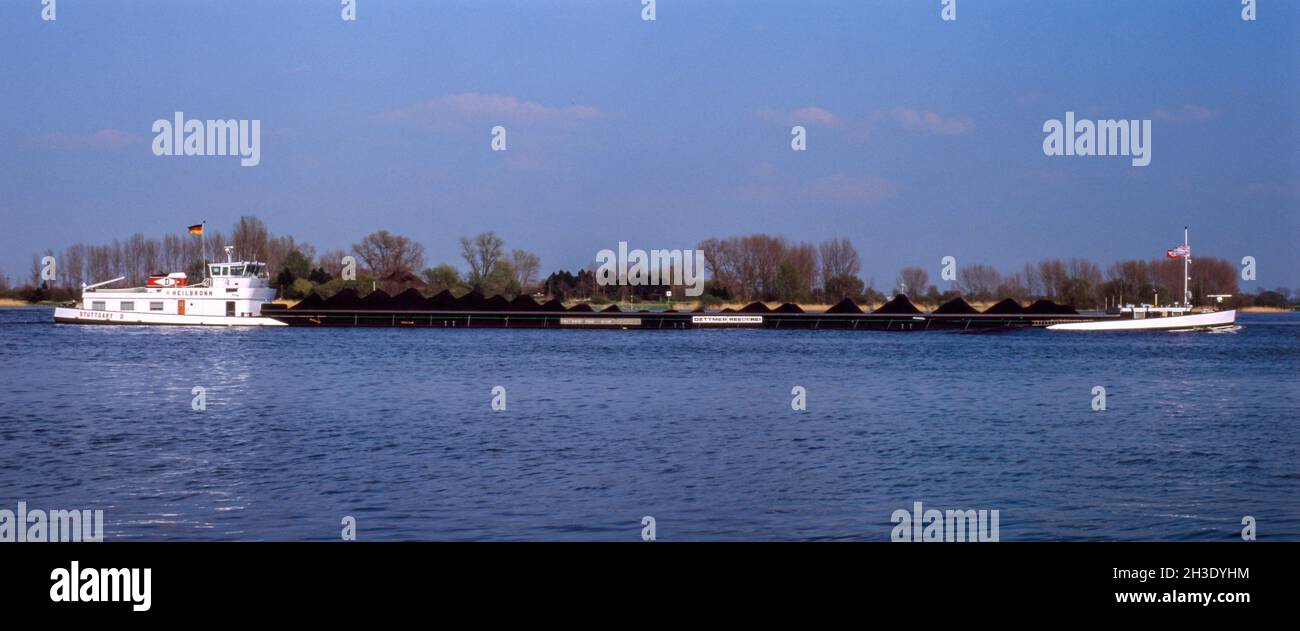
756,267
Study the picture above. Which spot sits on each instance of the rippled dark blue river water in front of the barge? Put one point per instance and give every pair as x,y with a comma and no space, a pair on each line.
696,429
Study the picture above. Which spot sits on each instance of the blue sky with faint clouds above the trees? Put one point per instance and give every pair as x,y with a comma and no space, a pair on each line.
925,137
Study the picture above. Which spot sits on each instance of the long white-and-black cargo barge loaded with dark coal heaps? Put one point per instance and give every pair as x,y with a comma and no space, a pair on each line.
240,293
